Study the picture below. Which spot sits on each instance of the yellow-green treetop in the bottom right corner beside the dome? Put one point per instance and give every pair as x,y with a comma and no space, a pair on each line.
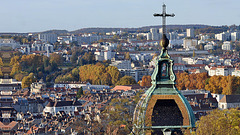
219,122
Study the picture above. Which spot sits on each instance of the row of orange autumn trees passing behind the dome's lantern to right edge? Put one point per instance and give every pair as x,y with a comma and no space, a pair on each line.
226,85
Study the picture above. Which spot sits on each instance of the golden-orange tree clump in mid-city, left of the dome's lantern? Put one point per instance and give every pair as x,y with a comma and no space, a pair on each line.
97,74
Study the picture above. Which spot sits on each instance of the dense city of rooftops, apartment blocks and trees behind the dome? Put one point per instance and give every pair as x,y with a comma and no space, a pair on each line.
89,81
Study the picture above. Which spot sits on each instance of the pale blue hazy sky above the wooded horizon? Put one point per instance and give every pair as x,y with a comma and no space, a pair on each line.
41,15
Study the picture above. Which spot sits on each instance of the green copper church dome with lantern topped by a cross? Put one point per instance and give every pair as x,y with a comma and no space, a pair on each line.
162,109
